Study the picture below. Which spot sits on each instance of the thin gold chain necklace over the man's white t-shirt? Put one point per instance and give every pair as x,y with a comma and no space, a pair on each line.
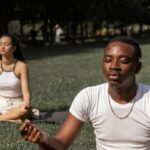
116,113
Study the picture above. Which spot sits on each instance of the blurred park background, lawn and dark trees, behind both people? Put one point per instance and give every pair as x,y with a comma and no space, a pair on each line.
62,42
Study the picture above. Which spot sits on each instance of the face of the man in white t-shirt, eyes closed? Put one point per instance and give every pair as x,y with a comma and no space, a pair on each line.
120,64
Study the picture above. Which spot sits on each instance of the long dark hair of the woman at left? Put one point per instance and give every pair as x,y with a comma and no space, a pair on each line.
15,42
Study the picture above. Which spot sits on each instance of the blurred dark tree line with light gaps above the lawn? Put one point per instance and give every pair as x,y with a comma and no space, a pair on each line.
79,20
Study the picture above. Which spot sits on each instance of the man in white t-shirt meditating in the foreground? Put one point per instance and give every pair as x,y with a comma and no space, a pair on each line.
118,110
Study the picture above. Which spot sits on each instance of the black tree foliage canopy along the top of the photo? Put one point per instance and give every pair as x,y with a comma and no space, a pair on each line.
79,11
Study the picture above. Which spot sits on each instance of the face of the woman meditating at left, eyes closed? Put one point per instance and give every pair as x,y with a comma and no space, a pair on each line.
6,46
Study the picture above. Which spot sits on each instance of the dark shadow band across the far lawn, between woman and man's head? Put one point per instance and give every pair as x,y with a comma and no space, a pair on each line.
39,52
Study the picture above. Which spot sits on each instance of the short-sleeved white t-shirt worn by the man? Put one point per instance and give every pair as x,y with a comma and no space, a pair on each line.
112,133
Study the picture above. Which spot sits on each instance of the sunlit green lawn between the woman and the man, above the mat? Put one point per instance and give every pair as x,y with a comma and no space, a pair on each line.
59,78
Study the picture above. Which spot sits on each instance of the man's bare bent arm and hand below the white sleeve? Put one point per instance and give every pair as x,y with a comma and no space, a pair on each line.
60,141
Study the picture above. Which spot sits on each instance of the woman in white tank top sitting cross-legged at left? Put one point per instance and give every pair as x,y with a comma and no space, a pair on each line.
14,86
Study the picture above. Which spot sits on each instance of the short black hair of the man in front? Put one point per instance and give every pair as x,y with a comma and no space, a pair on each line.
131,41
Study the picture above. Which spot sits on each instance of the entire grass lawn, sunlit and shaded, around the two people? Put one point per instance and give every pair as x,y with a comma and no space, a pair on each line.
57,74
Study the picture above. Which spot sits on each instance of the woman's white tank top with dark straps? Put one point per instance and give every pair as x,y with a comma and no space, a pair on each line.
10,84
